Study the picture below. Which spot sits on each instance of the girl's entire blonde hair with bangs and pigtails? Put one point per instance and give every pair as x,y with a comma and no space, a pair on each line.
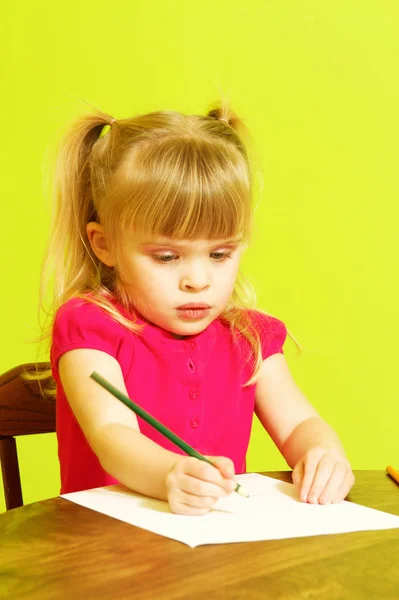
162,173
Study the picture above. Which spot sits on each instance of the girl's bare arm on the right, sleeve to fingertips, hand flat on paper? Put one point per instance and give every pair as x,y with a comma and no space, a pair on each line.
309,445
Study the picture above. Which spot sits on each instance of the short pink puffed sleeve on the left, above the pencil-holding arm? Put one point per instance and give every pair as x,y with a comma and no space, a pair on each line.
82,324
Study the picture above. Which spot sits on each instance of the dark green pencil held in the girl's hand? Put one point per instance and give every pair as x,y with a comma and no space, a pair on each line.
156,424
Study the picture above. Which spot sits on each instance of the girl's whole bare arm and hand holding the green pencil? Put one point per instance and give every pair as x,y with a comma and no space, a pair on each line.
191,486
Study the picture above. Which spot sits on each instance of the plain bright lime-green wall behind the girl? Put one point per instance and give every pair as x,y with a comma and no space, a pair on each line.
317,84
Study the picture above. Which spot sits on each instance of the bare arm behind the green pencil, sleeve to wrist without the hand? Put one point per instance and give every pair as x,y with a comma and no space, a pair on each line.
110,427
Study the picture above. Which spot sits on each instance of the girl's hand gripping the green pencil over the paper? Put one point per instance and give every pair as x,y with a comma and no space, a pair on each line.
193,486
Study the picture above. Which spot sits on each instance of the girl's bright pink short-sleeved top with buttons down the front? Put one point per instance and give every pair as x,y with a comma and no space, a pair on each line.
193,385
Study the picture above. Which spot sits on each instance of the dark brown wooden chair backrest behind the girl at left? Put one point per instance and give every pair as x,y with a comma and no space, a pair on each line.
23,411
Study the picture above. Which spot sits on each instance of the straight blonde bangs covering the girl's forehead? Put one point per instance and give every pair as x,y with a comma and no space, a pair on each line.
185,189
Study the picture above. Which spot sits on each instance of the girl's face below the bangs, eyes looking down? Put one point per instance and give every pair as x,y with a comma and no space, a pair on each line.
162,275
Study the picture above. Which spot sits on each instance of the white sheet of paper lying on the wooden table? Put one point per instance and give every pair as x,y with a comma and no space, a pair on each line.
273,511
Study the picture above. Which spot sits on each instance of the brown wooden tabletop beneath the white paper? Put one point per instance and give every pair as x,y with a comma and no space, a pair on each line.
57,549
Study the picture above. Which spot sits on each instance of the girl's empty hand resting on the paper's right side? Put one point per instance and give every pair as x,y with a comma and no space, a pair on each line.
323,476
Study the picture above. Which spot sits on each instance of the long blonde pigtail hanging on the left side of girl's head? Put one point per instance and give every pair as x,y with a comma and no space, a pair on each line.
69,258
